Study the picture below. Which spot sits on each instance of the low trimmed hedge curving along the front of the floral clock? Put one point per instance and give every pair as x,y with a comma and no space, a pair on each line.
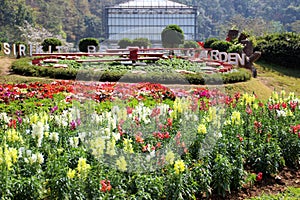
23,67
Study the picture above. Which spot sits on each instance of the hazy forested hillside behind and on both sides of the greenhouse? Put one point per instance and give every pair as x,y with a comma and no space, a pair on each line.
76,19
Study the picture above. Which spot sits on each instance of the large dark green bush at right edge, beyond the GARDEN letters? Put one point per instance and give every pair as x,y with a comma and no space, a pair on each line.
280,48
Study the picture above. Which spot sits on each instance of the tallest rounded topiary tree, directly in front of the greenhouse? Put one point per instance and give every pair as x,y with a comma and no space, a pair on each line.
172,36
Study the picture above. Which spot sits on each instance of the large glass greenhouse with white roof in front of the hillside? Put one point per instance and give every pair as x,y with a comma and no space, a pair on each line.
147,19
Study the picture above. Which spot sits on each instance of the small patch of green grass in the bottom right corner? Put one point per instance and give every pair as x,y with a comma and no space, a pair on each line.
290,194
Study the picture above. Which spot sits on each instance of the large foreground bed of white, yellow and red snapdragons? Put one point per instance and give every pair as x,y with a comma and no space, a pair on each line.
85,140
